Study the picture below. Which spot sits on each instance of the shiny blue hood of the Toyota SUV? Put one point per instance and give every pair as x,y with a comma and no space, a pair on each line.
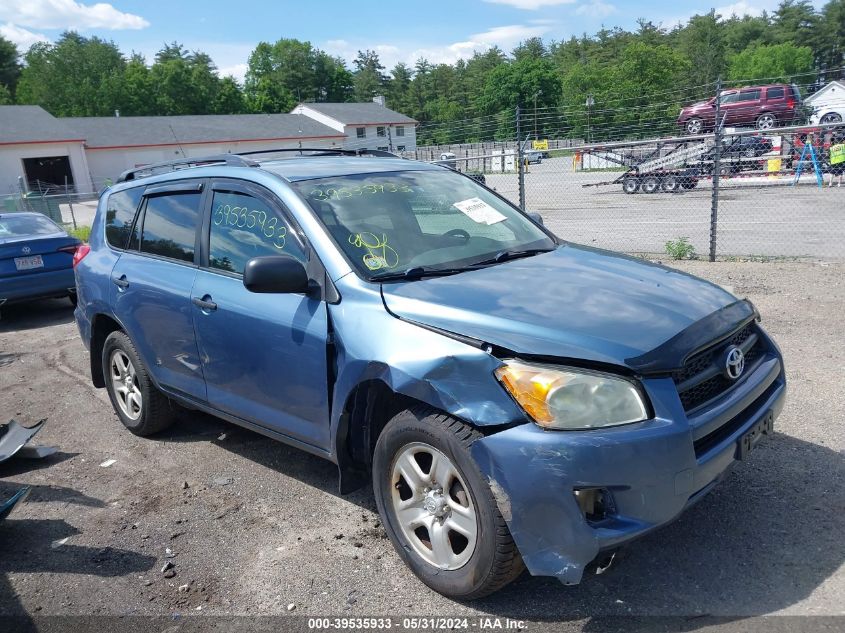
575,302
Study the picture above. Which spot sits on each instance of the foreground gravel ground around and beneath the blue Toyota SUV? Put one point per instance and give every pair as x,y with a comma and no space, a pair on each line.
255,527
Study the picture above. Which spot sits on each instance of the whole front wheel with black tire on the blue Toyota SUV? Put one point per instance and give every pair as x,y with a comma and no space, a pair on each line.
437,442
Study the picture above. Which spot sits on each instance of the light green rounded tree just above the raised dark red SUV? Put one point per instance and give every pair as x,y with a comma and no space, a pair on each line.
777,62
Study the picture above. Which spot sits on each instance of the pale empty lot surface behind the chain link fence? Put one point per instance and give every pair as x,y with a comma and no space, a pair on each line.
756,216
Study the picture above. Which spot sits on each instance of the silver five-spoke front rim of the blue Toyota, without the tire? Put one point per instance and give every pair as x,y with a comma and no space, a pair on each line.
433,506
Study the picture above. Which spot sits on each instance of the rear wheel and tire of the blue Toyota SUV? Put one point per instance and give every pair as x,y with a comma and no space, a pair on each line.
142,409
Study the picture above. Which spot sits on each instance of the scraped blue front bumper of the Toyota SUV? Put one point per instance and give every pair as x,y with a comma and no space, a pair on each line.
630,479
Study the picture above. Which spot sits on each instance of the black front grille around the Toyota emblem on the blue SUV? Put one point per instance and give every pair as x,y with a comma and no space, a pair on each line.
700,379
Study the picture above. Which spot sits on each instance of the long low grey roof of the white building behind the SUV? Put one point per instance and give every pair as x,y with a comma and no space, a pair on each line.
130,131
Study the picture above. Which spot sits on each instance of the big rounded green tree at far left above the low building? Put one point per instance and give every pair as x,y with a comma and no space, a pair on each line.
76,76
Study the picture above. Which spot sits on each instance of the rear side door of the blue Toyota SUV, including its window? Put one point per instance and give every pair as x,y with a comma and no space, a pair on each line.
152,281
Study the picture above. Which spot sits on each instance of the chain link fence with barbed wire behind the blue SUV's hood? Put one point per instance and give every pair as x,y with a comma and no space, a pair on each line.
778,193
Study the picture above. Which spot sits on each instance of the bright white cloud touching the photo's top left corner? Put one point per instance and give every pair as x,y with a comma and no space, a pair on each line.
68,14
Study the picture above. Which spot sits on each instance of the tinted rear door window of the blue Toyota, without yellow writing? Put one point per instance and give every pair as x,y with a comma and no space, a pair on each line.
170,225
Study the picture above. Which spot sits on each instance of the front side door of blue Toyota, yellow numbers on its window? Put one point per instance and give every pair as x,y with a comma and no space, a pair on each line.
263,355
